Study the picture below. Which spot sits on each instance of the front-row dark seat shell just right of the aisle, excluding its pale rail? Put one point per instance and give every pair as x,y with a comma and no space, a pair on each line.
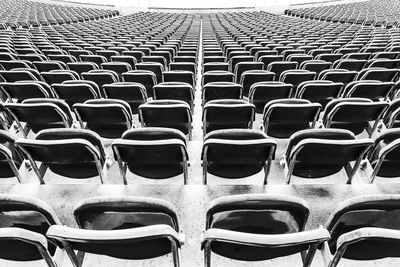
260,214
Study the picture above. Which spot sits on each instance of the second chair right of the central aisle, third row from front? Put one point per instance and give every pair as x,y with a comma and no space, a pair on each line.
283,117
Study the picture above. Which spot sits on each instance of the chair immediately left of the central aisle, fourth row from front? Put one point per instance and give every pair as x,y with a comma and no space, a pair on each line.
176,91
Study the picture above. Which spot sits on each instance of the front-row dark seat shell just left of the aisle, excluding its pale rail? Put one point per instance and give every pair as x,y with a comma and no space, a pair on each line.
125,213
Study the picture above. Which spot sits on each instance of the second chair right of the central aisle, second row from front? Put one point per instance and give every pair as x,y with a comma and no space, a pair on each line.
319,153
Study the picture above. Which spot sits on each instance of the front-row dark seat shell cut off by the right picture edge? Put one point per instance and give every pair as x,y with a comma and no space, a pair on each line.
374,211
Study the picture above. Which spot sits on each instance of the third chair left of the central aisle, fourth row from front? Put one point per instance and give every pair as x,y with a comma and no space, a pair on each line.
76,91
